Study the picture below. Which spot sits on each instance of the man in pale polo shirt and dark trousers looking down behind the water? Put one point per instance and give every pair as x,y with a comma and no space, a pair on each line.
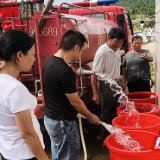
107,61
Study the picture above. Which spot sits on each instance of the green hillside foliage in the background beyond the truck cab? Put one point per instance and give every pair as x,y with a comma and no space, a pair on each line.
138,7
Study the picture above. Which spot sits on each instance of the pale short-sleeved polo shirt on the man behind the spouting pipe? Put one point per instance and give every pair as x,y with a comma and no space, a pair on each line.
106,61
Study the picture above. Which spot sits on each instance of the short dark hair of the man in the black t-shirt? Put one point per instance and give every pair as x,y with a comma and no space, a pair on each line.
72,38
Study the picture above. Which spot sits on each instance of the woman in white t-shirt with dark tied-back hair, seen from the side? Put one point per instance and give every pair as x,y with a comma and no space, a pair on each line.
20,135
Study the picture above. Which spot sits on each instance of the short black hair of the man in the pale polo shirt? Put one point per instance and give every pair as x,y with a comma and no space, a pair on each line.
116,32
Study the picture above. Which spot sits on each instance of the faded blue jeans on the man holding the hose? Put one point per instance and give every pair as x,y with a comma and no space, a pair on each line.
65,141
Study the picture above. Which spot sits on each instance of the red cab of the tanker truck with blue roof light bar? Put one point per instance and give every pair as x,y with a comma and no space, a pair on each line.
116,14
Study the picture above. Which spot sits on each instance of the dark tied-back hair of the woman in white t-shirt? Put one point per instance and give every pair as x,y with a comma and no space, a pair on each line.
13,41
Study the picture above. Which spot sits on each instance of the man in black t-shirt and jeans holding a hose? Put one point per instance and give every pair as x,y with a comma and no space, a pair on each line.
61,98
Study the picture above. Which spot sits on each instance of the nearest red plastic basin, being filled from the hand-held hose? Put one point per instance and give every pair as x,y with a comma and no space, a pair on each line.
145,139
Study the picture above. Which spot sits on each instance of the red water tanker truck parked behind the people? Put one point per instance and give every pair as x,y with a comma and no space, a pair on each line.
49,25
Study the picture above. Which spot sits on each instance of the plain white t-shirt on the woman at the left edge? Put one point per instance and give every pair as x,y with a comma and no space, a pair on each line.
15,97
